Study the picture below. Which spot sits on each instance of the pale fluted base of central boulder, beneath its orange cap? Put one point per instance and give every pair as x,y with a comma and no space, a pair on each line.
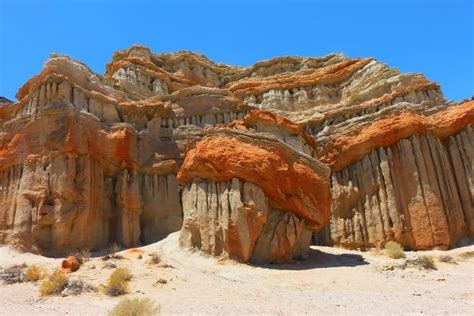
233,219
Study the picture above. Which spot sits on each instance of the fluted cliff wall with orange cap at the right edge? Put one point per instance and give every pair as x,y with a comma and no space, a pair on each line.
407,178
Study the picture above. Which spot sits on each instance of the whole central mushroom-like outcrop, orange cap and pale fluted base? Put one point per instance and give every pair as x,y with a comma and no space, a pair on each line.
233,206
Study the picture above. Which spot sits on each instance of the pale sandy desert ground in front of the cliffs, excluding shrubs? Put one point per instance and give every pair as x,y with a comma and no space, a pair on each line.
332,281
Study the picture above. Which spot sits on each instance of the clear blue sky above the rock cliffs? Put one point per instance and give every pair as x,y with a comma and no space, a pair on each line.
432,37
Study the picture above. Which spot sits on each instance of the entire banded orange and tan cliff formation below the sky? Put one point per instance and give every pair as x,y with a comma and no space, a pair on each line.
249,162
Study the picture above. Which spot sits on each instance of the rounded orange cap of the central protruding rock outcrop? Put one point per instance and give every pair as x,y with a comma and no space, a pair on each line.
287,179
